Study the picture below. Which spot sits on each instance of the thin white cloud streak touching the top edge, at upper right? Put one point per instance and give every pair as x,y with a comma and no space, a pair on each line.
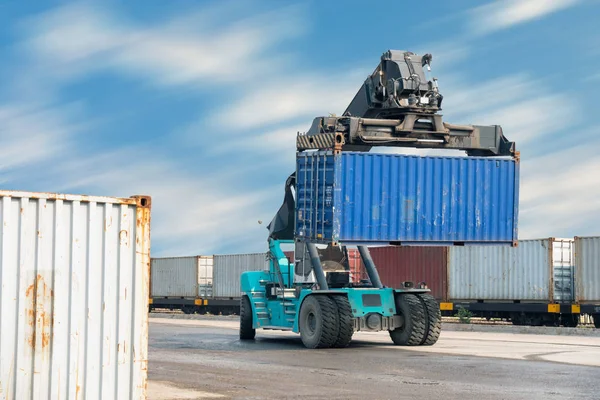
502,14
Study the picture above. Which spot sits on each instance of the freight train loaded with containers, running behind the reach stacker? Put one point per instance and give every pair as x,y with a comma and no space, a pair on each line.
545,281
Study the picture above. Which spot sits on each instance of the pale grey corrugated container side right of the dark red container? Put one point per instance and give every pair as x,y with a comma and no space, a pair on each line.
501,273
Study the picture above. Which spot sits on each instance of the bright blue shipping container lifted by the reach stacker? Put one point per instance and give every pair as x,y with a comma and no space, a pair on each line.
369,198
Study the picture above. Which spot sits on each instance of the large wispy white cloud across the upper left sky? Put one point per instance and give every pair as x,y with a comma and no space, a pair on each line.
192,49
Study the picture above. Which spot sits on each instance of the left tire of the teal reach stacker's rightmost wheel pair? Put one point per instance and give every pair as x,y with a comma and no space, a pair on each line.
412,333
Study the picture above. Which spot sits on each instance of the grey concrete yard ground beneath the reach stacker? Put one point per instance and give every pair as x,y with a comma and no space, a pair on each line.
203,359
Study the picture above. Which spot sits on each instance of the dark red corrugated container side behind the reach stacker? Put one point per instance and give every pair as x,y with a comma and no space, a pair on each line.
415,264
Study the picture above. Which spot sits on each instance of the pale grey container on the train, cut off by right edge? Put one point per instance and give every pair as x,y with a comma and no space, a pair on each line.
587,269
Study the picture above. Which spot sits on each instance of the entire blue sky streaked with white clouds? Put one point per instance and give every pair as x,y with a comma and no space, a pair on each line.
198,103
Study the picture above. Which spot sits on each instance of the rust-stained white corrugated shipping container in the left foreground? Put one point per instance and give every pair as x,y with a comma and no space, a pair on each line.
74,275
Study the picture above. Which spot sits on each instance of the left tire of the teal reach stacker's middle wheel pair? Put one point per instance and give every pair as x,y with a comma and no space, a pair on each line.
318,322
